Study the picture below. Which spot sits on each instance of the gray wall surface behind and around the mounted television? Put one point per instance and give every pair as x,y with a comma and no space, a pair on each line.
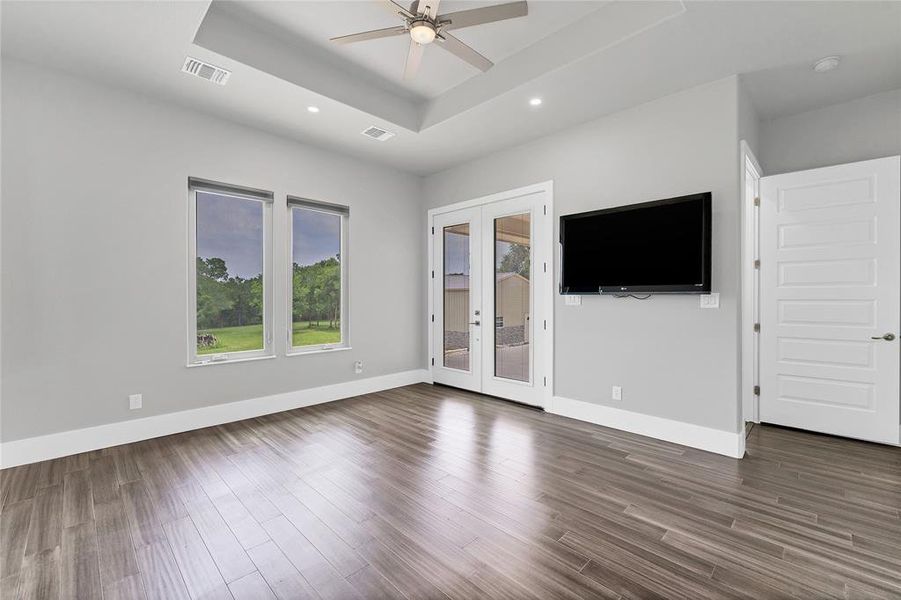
673,359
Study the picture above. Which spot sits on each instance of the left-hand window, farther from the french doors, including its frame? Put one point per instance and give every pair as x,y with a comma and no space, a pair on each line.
229,279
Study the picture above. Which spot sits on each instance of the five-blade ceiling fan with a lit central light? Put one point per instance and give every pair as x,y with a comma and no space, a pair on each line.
424,25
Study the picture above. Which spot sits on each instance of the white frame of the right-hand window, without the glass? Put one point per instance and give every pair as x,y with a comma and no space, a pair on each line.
343,212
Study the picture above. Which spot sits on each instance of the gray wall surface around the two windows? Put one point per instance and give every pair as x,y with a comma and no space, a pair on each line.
94,255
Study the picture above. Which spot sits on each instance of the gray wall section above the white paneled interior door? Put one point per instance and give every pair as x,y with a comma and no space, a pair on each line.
857,130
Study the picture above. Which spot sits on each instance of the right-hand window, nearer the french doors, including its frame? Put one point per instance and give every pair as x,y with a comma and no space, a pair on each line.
318,275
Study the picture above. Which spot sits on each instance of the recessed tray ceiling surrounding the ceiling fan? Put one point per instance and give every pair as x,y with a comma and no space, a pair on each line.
289,40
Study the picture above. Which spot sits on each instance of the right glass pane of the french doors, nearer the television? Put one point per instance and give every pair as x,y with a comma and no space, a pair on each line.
512,297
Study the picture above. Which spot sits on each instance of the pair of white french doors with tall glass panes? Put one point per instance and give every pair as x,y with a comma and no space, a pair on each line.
491,295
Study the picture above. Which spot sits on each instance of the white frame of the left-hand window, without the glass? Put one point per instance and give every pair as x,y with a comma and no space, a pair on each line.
266,198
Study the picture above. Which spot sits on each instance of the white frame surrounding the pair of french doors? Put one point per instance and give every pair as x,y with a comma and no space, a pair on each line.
546,354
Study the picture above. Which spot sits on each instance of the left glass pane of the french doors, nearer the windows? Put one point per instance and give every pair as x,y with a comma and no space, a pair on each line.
456,297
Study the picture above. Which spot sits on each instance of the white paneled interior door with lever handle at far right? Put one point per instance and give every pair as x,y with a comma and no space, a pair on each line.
829,299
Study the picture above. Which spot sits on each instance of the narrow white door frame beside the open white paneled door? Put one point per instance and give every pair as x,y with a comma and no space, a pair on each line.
750,289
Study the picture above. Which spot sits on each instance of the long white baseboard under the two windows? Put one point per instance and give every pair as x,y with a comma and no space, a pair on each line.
54,445
